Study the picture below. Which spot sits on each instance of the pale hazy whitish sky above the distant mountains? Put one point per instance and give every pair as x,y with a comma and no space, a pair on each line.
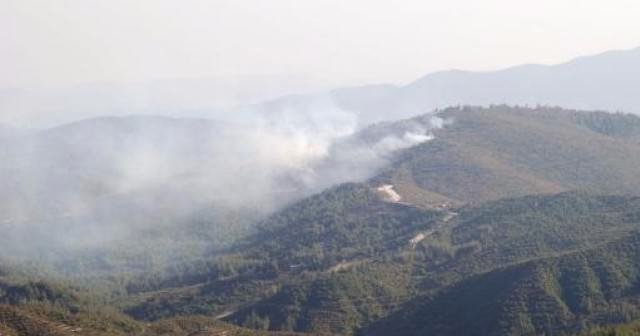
45,42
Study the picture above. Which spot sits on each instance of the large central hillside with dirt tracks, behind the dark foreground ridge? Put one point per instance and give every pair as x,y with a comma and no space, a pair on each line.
318,265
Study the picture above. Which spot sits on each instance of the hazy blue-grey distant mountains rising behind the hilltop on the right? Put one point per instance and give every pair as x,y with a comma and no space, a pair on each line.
608,81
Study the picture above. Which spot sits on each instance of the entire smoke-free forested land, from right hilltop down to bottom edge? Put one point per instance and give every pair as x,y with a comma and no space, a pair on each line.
512,221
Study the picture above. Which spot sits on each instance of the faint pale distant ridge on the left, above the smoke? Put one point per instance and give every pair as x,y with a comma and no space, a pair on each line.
179,97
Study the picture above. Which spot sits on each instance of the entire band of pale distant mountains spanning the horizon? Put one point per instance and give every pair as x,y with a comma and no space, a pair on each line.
608,81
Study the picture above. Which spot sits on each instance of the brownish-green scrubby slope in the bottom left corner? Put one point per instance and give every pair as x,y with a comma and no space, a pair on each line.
28,309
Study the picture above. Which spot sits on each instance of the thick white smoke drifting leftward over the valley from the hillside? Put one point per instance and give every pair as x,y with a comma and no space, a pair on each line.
108,183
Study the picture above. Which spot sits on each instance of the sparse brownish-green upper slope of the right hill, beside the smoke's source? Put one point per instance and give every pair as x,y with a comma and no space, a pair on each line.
492,153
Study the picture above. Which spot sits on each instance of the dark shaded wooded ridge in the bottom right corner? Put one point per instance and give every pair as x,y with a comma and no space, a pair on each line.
545,296
